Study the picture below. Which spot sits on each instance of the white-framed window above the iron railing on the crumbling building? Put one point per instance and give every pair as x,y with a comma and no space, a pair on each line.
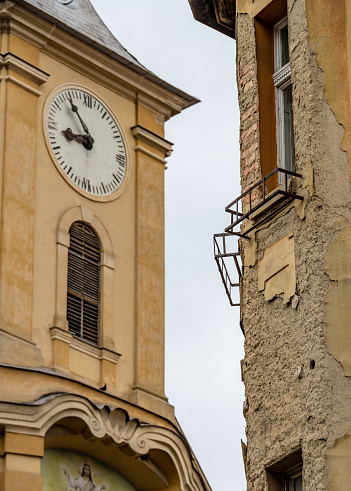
283,95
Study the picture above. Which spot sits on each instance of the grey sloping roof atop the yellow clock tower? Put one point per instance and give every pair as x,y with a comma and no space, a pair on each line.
79,18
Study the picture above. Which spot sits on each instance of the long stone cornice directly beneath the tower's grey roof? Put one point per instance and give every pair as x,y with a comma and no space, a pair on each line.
127,80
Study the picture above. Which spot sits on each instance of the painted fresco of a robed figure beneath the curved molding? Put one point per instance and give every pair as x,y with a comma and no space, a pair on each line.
67,470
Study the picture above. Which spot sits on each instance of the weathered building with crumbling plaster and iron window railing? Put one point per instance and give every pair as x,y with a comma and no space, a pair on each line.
294,230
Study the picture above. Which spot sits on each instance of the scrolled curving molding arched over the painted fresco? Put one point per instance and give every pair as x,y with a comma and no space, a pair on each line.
103,422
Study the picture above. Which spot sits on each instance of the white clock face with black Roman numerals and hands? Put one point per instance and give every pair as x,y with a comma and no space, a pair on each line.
86,143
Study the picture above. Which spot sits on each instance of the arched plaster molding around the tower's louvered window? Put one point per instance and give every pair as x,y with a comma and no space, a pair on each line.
83,214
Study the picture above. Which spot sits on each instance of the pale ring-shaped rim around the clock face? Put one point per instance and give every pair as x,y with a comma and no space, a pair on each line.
73,86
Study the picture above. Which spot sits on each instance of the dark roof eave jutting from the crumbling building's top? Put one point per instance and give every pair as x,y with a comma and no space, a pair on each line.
217,14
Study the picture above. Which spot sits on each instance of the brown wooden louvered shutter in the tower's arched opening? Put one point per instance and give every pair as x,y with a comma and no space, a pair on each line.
83,289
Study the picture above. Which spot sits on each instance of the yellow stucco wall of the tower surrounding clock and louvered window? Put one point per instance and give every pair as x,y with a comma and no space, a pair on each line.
34,198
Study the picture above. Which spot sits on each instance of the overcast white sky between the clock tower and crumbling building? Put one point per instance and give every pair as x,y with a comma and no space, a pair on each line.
204,343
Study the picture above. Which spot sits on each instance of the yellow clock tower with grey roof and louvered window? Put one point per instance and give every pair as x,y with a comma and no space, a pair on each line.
82,160
